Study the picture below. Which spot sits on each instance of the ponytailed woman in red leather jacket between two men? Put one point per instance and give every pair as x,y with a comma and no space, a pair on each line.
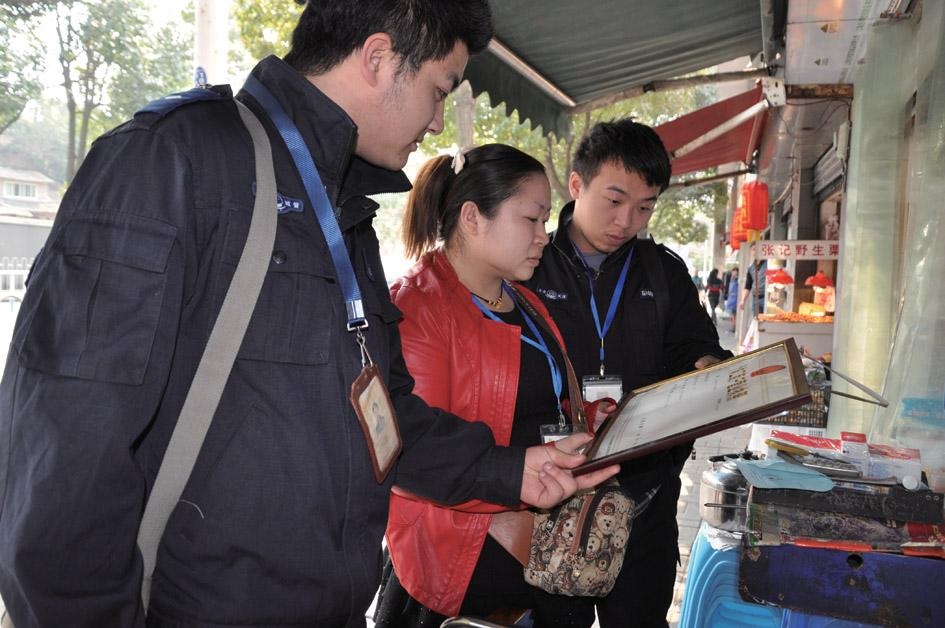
478,354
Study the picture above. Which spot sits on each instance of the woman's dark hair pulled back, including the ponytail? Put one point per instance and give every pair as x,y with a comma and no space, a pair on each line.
492,173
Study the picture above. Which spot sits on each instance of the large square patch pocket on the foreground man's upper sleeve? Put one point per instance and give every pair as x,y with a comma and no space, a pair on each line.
100,290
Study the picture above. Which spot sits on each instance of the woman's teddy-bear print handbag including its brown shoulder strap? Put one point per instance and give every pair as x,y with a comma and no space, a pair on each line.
577,548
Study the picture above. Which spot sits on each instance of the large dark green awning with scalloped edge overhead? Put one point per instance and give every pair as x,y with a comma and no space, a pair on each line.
551,55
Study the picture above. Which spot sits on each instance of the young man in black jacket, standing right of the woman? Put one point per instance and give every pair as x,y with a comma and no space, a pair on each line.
630,316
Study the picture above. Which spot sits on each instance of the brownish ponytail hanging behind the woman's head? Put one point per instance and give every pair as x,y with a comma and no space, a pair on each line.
424,206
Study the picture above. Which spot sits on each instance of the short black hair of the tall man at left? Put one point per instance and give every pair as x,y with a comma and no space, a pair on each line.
420,30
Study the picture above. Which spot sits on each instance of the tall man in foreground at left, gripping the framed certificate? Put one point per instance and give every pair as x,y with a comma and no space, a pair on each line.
282,518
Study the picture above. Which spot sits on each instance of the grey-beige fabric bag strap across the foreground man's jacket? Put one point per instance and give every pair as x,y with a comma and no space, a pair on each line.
217,360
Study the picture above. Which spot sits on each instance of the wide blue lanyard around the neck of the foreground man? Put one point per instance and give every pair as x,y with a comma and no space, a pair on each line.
318,198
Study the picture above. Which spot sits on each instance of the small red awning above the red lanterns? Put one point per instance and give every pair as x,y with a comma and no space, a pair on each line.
725,132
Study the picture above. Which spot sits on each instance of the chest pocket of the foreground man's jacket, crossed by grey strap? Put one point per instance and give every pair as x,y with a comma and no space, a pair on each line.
295,313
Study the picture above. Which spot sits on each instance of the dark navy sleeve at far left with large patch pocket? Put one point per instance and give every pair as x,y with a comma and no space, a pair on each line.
89,358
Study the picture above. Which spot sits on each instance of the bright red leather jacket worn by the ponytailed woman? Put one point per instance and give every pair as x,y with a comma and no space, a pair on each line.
468,365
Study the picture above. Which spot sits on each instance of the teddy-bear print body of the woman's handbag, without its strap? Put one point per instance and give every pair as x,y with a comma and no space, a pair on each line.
579,546
